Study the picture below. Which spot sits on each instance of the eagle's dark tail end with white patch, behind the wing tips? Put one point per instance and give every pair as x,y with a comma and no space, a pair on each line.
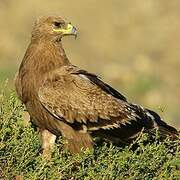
163,128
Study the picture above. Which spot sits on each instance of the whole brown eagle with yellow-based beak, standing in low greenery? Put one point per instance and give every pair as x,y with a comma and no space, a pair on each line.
65,100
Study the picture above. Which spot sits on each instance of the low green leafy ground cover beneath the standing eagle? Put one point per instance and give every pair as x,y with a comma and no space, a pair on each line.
20,154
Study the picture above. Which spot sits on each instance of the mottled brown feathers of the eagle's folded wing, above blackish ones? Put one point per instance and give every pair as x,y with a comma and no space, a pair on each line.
69,95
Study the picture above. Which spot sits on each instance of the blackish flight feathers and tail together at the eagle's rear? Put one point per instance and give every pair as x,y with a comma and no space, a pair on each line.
146,121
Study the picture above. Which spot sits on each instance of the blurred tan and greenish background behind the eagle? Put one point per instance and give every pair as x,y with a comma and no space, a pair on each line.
132,44
